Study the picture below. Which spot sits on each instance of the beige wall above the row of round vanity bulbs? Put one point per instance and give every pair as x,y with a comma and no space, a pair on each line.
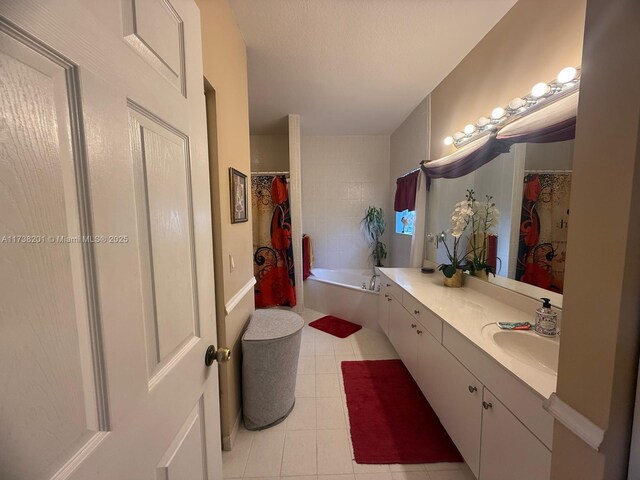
530,44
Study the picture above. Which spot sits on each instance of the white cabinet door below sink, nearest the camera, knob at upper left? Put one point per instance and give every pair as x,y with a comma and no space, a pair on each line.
508,449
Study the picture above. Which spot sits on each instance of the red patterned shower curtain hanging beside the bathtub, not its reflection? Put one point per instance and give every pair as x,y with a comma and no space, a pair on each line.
273,251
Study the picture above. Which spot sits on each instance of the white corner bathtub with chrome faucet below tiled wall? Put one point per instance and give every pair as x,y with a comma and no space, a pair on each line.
340,293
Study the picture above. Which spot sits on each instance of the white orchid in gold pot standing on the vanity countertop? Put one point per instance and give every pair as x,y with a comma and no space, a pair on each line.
460,219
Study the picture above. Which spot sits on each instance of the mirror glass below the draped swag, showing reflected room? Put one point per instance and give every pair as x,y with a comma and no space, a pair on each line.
530,186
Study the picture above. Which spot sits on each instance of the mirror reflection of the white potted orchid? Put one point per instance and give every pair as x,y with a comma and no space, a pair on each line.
484,219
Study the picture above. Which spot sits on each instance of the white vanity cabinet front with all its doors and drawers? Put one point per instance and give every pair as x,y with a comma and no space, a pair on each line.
502,435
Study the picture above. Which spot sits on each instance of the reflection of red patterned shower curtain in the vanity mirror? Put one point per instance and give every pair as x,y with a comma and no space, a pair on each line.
543,230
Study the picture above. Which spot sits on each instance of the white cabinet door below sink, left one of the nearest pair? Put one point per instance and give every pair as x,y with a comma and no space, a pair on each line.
458,404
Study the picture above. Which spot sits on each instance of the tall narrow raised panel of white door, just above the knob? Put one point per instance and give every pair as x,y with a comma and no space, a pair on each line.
163,187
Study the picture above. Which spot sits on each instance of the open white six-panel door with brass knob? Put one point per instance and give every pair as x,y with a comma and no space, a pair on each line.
106,265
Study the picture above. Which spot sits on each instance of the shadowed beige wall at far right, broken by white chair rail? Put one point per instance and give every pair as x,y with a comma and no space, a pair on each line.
601,315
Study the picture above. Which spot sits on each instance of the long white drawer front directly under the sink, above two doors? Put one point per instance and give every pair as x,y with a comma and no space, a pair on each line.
523,402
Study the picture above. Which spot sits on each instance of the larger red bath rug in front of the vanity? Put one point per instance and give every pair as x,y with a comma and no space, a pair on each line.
391,421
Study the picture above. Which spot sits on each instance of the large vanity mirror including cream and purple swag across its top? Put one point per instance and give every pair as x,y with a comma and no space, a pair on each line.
530,185
